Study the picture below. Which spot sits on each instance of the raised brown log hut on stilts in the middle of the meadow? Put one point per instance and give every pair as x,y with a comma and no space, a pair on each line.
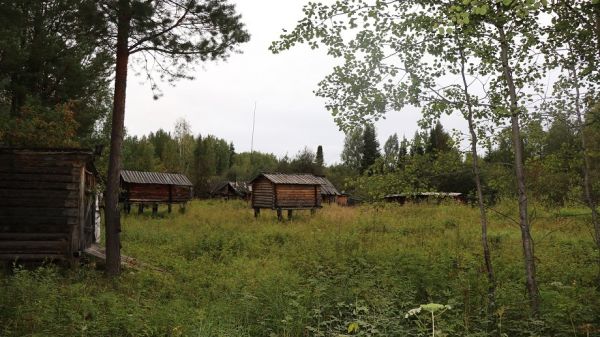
285,192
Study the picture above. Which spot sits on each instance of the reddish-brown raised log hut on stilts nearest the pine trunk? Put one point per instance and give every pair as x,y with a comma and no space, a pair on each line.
154,188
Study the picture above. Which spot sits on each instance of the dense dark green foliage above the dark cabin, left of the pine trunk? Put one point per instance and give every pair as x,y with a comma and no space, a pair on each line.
53,54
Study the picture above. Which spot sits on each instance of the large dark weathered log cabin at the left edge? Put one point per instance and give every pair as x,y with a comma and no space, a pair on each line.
47,204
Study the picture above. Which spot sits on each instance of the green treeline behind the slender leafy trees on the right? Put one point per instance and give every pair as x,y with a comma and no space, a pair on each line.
433,161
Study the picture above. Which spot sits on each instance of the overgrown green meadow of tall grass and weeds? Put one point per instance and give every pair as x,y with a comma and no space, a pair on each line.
216,271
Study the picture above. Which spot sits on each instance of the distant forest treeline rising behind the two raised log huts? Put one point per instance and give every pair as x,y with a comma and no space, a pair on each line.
208,159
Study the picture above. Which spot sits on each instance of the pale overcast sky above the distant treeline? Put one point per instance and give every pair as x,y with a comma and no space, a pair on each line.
220,100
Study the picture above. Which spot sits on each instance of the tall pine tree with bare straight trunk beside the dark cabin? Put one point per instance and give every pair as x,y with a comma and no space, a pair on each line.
175,35
